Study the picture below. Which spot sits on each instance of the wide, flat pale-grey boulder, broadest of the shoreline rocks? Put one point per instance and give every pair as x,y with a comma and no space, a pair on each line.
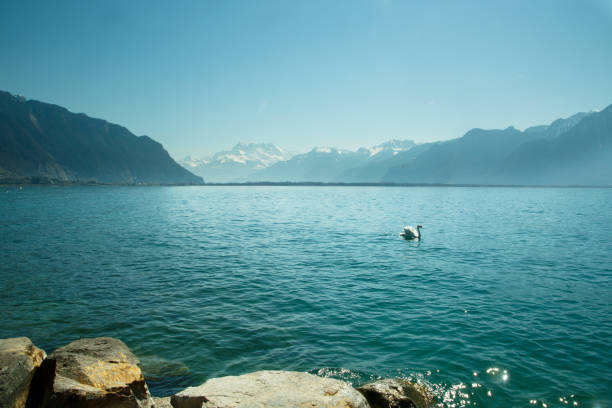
271,389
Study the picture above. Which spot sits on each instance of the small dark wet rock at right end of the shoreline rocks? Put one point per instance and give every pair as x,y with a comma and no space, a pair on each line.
396,393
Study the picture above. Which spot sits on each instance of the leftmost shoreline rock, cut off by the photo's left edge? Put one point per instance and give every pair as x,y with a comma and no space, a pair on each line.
19,360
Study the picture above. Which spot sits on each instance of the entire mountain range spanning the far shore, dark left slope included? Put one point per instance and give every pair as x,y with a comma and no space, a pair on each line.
44,143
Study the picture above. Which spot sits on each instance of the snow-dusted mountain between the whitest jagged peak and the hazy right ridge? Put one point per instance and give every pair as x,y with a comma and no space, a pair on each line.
329,164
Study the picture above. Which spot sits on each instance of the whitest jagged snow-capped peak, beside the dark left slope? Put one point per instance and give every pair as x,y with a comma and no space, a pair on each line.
237,163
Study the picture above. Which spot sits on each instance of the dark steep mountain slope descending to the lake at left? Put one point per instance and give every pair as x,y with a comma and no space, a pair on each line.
45,143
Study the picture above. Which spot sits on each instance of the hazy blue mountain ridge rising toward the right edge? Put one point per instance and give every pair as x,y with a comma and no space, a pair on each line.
573,151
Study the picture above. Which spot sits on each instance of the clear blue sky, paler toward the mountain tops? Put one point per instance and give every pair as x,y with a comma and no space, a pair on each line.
200,76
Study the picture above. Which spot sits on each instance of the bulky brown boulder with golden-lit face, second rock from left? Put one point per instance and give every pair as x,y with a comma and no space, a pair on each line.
100,372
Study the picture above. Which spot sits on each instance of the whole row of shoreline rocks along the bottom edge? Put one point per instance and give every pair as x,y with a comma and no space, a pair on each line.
103,372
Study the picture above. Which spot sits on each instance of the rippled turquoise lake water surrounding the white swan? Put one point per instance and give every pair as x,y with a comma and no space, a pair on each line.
506,301
